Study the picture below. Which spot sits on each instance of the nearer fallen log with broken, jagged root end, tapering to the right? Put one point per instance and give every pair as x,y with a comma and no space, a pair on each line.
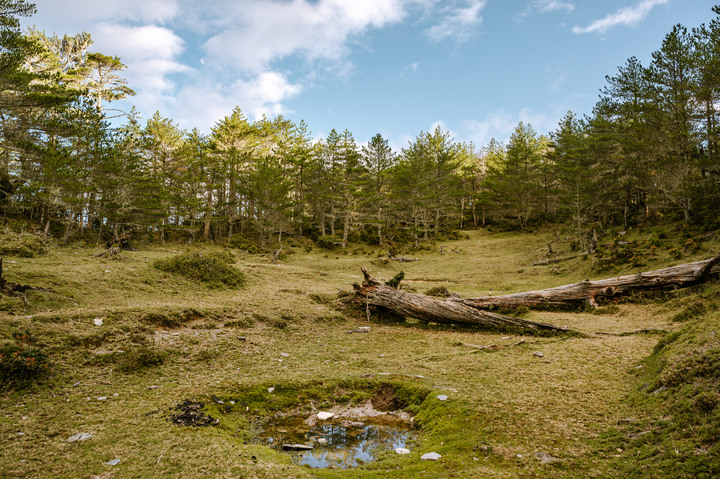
437,310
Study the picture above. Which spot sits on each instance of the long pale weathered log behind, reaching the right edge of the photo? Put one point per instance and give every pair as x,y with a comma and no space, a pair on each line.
579,295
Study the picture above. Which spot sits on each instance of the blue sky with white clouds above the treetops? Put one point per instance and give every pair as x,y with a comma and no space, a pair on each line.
395,67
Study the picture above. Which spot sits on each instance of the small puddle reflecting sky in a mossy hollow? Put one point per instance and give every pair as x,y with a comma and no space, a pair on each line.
338,443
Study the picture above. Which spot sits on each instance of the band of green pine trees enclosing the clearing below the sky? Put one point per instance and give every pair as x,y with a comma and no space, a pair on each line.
648,152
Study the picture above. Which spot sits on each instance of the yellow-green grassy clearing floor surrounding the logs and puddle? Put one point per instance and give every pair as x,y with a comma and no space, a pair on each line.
602,404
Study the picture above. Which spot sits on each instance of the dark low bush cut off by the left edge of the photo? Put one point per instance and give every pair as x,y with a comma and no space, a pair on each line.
20,365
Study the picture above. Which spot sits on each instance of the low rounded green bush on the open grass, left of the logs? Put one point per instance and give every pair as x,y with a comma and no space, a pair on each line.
213,268
